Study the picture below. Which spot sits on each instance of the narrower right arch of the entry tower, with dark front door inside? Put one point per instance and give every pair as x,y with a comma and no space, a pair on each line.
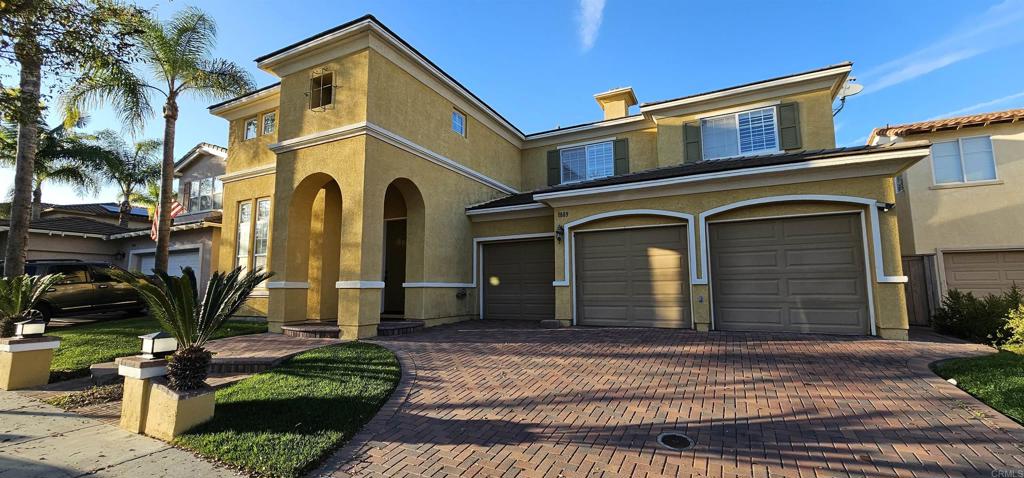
403,262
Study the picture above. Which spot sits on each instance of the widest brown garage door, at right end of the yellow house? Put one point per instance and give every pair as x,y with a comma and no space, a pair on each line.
796,275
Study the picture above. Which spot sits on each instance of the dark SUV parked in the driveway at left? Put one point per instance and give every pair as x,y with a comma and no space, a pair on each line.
88,288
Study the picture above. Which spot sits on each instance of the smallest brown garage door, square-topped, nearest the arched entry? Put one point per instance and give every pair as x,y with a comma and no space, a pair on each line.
518,281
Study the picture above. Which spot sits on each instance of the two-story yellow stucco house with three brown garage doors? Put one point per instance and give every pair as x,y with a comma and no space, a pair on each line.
376,186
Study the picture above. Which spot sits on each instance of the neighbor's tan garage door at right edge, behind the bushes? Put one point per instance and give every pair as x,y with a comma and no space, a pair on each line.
985,273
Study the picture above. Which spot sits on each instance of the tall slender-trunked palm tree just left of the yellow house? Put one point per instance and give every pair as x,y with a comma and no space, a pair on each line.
179,56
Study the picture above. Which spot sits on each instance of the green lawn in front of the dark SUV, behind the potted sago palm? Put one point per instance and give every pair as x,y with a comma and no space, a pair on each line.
101,342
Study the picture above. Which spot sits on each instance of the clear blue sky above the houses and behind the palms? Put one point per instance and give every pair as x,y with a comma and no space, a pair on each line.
539,64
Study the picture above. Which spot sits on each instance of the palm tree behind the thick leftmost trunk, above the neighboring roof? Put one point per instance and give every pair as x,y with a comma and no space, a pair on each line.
63,157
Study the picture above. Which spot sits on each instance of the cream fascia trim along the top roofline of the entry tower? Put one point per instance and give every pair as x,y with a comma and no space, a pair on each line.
402,48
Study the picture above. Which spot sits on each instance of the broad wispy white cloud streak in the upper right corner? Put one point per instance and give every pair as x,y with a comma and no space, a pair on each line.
998,27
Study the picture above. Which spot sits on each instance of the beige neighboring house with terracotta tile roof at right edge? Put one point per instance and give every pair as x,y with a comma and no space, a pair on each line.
961,210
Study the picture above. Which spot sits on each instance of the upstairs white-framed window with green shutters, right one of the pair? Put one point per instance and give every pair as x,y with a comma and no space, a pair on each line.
743,134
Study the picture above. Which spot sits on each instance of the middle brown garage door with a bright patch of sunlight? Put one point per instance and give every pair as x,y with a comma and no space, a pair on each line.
633,278
